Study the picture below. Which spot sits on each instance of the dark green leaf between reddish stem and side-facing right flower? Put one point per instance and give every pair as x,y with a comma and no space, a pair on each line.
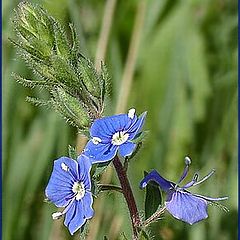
153,198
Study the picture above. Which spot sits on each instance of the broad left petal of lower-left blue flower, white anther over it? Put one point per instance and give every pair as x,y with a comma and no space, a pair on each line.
59,188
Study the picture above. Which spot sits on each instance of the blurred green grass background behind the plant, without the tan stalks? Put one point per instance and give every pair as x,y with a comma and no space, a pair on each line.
185,77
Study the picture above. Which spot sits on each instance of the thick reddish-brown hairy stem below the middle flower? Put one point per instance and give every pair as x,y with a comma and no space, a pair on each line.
128,194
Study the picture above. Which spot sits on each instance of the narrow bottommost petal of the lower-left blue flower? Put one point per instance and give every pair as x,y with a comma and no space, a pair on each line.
78,219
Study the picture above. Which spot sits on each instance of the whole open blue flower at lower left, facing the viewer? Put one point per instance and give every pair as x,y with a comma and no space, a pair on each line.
70,187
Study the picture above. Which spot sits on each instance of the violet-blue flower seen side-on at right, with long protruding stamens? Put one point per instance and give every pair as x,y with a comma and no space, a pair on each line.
182,204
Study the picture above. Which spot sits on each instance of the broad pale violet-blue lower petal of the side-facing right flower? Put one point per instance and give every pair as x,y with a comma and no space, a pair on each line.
186,207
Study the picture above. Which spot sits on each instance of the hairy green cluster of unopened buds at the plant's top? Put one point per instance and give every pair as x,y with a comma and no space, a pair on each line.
77,90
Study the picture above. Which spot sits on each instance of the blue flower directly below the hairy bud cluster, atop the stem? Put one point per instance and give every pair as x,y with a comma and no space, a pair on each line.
110,134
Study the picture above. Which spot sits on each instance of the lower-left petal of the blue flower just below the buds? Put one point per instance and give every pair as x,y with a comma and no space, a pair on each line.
100,152
